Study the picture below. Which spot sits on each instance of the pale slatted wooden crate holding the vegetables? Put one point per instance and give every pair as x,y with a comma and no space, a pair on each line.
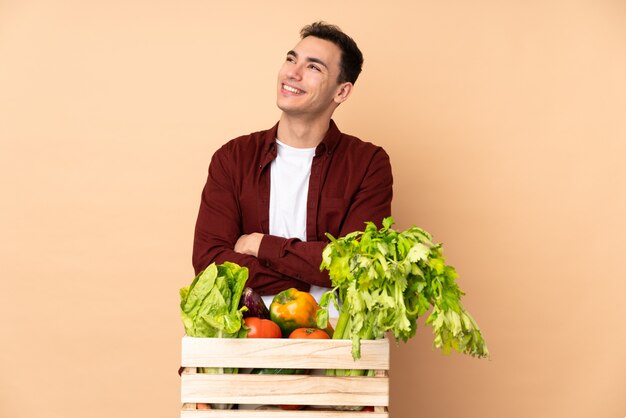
315,390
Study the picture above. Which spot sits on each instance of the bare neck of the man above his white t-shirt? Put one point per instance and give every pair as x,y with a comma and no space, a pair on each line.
302,133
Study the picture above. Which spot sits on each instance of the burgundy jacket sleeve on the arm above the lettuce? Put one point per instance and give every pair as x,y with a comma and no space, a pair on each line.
219,226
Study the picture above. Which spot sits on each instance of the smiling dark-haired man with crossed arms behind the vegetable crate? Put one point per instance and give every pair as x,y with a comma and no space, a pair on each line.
272,195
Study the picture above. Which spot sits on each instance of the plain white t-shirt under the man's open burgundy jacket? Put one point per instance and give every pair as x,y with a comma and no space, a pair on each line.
289,188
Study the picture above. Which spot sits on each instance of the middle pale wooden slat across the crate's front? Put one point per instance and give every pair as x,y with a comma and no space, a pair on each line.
284,389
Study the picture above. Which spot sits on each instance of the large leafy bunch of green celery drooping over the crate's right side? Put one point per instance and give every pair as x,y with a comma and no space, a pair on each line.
386,279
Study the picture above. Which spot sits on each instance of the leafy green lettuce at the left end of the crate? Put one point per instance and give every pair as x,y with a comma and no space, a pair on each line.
210,307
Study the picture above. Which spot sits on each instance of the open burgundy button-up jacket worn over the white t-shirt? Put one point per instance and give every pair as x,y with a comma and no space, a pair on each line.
350,183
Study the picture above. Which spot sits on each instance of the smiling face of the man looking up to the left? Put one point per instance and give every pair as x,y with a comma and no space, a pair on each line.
307,81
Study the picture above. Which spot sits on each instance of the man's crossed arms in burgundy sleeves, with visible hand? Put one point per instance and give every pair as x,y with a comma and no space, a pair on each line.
276,263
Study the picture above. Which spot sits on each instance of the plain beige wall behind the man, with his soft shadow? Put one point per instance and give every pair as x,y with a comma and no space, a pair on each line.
505,122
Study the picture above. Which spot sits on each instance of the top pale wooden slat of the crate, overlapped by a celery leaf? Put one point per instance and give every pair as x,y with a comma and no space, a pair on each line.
283,353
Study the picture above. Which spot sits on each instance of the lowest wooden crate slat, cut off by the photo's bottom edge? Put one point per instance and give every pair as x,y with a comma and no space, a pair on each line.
280,414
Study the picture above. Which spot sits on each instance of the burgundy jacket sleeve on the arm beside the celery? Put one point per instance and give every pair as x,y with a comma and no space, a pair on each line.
301,260
